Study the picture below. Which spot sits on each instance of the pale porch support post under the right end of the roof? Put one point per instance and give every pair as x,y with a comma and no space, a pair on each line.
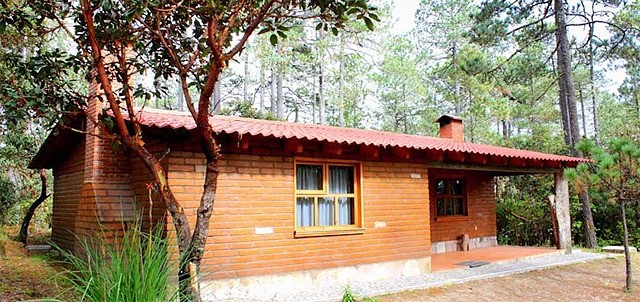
562,212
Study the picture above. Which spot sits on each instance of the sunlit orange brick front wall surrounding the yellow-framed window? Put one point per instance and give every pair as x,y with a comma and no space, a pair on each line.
257,191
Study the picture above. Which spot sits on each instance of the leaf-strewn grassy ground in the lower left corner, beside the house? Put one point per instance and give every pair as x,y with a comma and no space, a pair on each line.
30,277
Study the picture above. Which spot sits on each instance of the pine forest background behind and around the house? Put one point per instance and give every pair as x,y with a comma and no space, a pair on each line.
492,63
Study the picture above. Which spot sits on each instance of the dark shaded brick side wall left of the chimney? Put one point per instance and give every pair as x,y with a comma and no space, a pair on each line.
67,184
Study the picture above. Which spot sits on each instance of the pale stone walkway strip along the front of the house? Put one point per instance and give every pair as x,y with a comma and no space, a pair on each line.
334,293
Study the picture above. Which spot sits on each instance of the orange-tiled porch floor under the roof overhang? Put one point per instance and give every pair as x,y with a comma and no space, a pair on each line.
487,255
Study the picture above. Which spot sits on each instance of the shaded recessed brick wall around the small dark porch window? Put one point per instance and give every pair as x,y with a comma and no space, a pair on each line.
481,221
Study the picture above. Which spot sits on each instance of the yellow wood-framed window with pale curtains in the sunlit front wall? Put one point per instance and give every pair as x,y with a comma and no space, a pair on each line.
327,195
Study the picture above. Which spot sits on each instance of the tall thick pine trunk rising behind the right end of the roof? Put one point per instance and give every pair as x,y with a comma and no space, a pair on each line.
569,111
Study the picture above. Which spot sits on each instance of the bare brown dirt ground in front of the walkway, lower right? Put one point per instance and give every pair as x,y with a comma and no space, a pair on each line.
601,280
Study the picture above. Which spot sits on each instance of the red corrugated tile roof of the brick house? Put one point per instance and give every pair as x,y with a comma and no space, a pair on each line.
230,125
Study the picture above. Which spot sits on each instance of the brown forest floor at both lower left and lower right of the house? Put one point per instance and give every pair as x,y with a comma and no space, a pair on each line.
32,277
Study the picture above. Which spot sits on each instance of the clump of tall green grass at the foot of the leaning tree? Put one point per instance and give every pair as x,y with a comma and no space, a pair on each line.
136,268
